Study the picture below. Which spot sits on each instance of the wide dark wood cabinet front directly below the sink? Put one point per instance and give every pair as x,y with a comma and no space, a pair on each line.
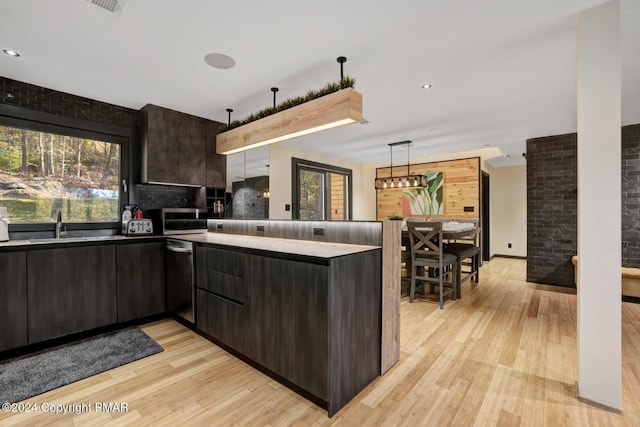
70,290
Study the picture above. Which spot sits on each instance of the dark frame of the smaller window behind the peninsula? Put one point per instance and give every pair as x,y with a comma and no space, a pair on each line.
297,165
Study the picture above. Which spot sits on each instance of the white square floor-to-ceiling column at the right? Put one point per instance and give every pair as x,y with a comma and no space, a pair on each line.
599,199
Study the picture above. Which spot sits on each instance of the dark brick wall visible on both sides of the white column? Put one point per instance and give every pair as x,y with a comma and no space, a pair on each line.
552,205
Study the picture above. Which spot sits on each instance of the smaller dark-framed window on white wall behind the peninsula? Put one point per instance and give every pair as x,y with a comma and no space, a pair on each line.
321,192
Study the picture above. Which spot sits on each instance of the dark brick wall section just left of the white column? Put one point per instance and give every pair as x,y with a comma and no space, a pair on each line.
552,208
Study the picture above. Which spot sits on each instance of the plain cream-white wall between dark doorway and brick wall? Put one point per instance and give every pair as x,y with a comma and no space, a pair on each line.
508,210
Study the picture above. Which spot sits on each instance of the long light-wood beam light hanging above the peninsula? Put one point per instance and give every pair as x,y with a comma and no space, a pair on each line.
329,111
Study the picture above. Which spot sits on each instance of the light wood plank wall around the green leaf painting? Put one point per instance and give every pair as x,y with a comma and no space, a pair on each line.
461,188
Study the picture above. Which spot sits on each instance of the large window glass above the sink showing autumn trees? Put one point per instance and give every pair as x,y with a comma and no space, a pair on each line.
69,170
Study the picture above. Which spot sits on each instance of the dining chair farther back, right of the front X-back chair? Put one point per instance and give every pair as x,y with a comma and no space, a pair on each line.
467,253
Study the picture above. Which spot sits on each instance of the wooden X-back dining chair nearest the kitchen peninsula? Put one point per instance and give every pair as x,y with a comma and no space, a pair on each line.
429,263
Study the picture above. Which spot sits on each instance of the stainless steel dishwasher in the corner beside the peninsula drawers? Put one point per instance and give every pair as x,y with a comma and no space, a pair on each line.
180,278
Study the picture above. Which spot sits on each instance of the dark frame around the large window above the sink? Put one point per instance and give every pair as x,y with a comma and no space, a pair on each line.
23,118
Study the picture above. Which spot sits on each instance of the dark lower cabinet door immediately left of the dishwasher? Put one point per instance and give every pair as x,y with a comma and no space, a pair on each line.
140,280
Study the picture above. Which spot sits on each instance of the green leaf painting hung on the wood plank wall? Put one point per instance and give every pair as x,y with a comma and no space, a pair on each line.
427,200
